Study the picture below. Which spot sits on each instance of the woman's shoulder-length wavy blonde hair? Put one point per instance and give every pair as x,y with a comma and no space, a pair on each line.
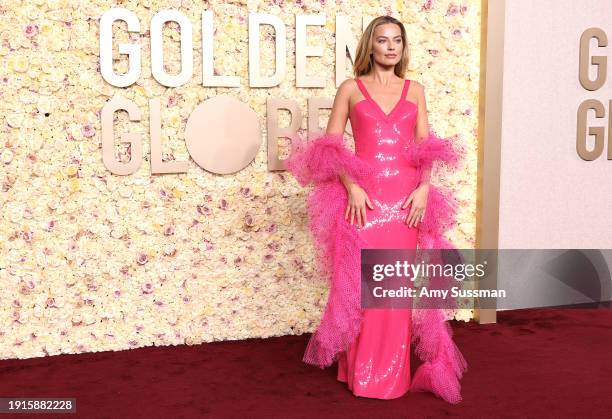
364,62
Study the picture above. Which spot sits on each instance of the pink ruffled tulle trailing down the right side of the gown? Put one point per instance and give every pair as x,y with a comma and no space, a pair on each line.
443,364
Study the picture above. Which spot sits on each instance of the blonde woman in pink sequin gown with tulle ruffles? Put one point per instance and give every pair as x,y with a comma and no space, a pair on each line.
378,197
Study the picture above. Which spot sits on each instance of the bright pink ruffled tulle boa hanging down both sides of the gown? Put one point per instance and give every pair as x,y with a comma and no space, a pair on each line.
320,162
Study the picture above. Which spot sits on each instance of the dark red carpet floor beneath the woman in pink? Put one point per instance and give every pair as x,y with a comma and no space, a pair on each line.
543,363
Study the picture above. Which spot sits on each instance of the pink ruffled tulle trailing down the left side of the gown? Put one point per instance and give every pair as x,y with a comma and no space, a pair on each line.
320,162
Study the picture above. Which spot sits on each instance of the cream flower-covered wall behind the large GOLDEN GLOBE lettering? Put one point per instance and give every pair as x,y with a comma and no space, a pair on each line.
91,261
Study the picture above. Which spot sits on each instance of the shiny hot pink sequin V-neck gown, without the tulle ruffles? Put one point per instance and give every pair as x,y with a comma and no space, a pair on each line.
377,364
